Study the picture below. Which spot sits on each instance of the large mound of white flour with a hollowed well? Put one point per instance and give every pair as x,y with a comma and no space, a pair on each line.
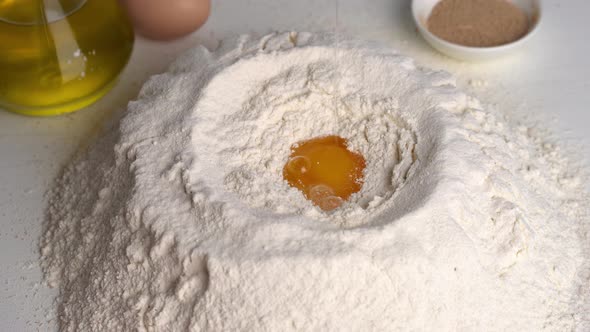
179,217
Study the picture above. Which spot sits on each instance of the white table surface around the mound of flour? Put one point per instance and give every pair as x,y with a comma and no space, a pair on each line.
551,76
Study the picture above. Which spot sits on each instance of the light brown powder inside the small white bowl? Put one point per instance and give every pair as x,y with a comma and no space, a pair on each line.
478,23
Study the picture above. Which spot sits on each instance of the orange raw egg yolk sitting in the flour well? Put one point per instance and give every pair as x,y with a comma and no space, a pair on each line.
325,171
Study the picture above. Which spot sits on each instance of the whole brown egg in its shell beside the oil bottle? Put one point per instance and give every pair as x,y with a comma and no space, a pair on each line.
167,19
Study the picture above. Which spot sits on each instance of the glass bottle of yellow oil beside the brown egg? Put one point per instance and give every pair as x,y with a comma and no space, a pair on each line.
57,56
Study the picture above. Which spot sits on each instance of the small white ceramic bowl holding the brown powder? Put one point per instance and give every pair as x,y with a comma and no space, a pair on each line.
421,10
